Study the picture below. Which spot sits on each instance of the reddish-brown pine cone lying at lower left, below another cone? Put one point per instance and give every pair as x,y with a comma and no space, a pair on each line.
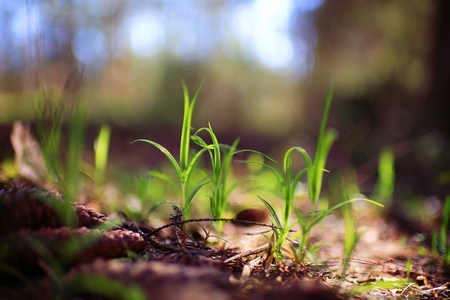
67,246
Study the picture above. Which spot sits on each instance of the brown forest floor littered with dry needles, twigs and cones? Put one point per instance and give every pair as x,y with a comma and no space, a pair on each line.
94,257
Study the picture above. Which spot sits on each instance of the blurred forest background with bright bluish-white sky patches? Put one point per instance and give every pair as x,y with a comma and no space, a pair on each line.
268,66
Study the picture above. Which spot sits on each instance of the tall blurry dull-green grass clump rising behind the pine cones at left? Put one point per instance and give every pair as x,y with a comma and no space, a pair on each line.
65,175
